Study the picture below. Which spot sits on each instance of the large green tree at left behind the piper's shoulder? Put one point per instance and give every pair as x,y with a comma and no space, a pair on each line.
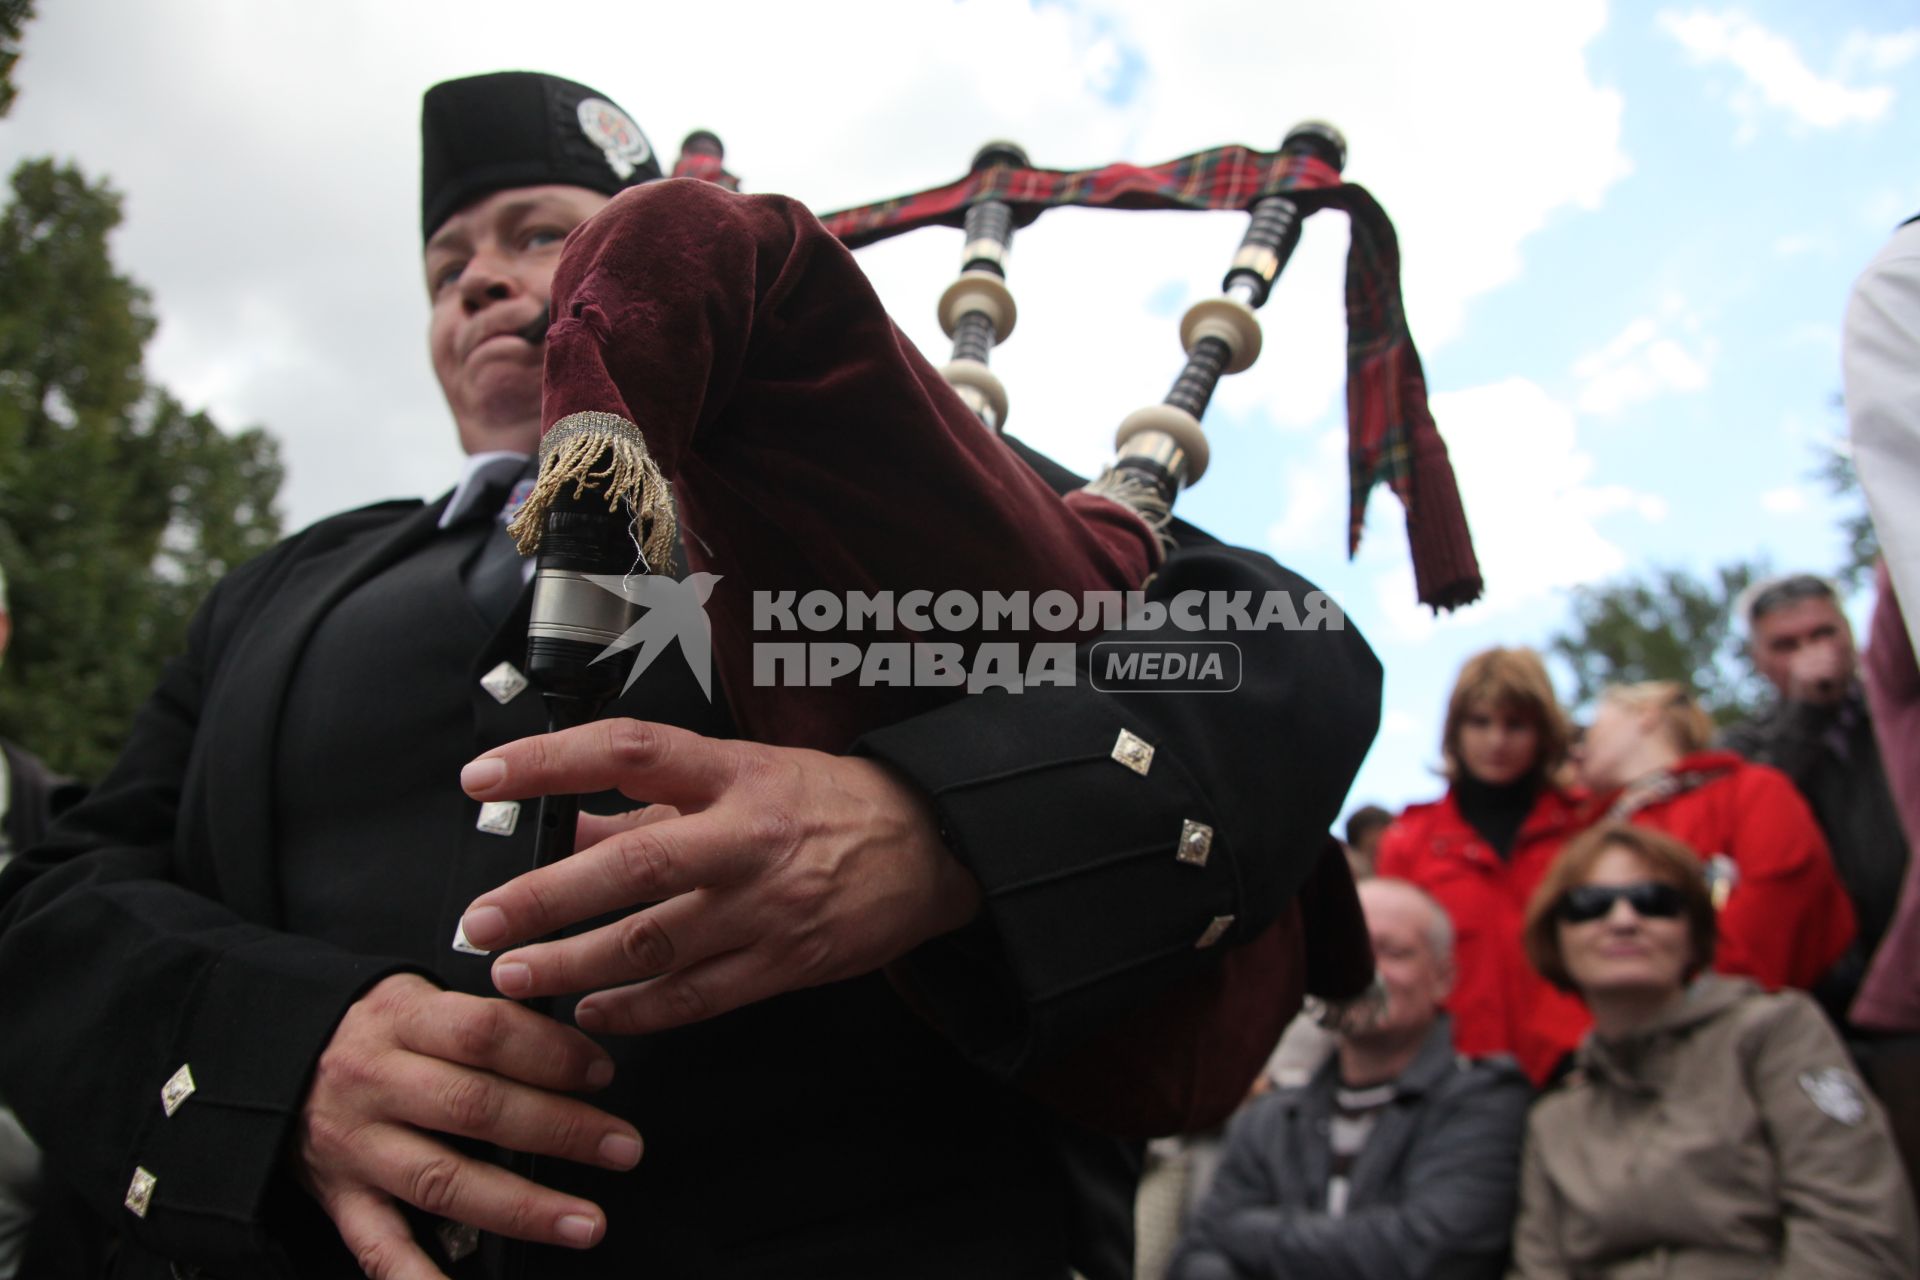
118,506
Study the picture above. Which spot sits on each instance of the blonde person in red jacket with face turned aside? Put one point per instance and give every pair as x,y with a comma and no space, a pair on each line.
1785,913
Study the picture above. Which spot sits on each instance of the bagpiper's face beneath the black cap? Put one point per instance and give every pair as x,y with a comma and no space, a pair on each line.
489,275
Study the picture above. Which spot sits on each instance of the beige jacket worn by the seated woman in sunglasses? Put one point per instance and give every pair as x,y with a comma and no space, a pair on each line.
1733,1139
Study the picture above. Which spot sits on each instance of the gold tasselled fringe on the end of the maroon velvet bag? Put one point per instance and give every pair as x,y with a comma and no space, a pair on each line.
602,452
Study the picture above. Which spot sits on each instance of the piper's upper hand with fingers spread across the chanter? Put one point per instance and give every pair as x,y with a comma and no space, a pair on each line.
773,870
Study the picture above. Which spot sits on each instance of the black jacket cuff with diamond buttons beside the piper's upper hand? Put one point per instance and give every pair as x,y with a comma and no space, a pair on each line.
1101,880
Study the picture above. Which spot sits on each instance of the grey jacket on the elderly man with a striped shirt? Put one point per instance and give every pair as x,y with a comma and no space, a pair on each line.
1431,1193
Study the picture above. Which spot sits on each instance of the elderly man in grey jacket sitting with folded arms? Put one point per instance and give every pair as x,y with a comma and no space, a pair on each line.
1399,1158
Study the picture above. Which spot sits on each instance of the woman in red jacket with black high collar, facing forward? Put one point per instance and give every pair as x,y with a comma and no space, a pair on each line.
1483,847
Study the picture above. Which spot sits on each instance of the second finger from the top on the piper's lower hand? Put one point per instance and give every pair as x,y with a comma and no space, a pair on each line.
475,1104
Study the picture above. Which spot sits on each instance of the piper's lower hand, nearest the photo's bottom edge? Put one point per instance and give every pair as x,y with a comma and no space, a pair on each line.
410,1060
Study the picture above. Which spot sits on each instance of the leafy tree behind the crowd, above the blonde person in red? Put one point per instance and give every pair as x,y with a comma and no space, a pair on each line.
1666,625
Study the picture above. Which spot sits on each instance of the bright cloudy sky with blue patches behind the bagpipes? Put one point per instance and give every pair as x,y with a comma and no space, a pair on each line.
1627,229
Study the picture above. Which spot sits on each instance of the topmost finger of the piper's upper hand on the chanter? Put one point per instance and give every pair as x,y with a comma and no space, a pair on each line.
636,757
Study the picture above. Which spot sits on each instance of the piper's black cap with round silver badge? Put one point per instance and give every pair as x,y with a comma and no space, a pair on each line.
487,133
